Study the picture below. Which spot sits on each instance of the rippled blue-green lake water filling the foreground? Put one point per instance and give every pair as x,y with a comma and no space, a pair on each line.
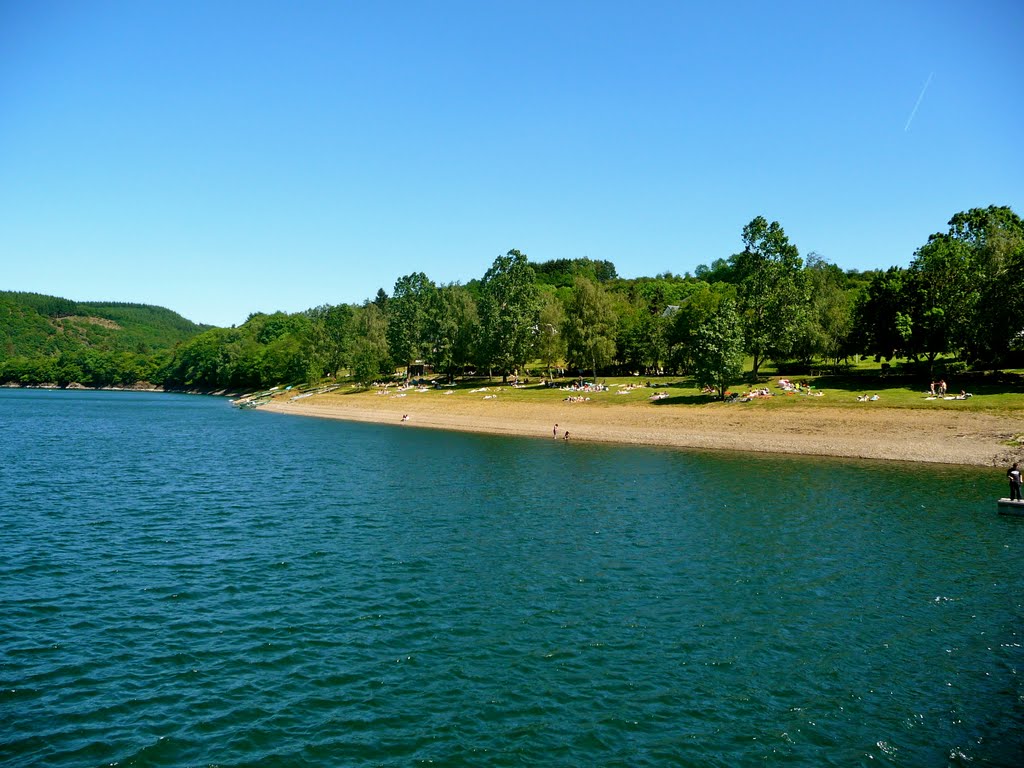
188,585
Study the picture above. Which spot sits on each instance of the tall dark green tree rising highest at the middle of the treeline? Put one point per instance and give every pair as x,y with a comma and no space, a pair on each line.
509,313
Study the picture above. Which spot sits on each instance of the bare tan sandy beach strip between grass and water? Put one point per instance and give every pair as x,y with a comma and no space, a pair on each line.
866,432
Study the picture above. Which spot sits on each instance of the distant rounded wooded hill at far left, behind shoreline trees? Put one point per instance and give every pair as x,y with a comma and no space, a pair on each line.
34,326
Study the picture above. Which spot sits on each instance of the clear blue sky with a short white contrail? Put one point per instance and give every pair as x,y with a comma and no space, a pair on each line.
224,158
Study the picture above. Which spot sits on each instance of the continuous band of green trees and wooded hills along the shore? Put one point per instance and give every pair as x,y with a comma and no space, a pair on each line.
958,305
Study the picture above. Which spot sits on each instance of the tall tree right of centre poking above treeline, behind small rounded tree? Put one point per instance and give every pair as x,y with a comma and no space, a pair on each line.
772,294
